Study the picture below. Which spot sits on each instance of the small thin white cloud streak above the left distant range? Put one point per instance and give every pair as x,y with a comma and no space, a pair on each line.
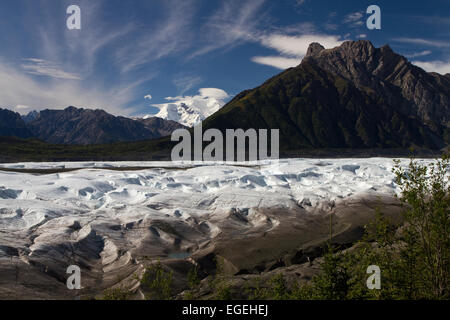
42,67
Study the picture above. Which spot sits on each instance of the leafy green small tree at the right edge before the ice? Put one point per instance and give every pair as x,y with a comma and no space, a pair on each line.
426,238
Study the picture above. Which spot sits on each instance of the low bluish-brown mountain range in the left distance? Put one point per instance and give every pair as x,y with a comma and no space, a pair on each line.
82,126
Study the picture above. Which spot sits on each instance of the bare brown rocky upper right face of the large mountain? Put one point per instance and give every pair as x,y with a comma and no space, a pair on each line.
413,91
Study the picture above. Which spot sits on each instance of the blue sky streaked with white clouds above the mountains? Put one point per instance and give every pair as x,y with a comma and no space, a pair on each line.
160,49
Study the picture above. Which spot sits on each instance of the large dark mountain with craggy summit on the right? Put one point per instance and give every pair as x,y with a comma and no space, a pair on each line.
352,96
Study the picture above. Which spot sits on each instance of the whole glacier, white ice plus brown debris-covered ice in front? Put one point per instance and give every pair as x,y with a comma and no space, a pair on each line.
107,216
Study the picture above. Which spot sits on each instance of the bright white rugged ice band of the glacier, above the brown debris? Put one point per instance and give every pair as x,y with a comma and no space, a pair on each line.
182,191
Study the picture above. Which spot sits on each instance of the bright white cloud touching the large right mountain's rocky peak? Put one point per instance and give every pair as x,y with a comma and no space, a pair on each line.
292,48
